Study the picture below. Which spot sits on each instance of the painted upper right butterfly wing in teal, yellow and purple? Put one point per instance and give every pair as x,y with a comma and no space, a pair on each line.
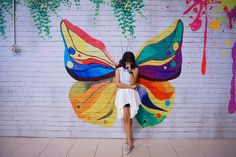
160,58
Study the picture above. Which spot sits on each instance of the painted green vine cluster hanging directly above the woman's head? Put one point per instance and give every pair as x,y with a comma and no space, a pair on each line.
125,12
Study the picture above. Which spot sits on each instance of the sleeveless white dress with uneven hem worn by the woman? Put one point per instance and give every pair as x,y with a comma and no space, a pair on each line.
126,96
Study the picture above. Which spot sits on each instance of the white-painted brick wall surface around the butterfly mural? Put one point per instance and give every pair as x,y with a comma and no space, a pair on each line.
34,85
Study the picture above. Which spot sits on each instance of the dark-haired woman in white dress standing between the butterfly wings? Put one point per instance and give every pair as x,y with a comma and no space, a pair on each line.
127,97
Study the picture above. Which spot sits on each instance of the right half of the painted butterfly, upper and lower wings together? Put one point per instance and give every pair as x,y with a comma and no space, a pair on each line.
159,60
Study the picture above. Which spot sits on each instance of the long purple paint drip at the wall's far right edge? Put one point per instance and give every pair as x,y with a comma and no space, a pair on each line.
232,103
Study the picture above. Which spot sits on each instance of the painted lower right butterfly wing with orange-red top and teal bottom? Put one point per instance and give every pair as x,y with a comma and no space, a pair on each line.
157,101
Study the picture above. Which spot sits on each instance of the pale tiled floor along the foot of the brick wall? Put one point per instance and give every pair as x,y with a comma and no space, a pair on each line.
76,147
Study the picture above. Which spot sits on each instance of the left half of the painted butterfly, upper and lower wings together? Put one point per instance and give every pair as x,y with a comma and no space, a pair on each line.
86,60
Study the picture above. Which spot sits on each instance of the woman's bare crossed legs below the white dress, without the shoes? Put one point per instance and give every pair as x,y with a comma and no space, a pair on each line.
128,125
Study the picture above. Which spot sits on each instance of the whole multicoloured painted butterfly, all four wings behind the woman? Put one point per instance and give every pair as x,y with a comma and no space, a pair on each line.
92,97
